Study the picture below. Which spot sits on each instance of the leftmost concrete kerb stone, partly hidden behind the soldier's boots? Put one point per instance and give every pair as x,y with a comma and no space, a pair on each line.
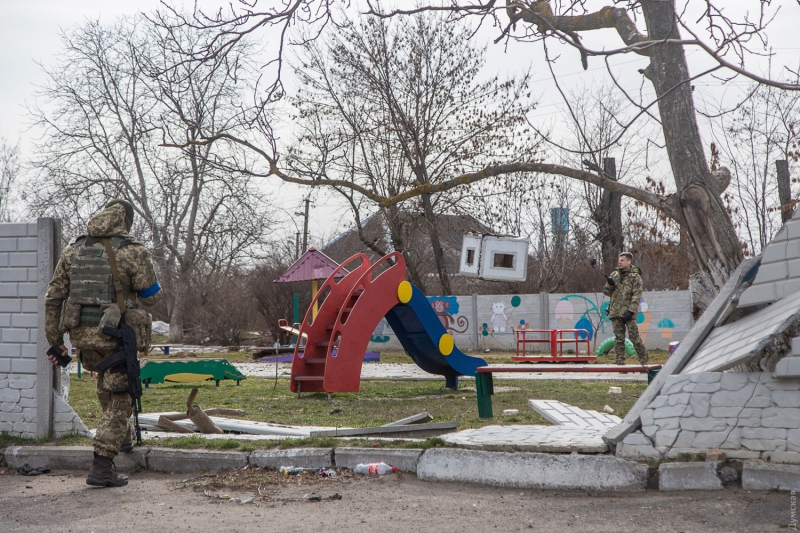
69,457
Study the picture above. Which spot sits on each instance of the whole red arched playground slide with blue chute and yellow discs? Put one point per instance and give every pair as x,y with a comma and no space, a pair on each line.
380,291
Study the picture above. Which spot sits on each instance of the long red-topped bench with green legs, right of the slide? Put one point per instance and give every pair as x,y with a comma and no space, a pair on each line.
484,385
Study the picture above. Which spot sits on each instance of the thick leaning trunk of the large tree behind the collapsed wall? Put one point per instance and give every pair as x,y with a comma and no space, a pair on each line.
699,208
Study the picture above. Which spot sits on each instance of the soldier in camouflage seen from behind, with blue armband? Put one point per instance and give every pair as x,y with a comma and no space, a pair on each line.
81,299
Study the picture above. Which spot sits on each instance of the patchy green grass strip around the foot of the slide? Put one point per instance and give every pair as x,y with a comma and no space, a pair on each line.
377,403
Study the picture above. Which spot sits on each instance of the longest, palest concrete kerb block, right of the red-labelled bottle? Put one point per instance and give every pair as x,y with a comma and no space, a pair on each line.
532,470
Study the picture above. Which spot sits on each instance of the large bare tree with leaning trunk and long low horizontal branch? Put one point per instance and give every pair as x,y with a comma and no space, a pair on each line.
695,204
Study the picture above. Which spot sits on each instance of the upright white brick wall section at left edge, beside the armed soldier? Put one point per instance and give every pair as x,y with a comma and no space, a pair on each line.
26,378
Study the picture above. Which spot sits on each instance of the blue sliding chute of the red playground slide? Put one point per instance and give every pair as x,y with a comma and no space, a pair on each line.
419,329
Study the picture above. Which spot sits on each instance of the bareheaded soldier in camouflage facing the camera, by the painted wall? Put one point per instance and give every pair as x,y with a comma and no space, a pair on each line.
624,287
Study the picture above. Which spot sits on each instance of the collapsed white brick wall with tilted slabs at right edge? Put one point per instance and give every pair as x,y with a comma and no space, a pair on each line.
733,384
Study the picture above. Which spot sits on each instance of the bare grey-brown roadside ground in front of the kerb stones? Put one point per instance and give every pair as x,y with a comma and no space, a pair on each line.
62,502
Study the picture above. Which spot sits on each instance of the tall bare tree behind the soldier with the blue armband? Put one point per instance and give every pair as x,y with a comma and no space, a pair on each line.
115,97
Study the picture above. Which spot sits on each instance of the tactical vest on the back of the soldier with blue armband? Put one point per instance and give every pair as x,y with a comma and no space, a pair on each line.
91,283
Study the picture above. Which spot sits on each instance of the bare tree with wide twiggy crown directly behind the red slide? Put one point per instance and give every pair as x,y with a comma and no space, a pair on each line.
391,104
